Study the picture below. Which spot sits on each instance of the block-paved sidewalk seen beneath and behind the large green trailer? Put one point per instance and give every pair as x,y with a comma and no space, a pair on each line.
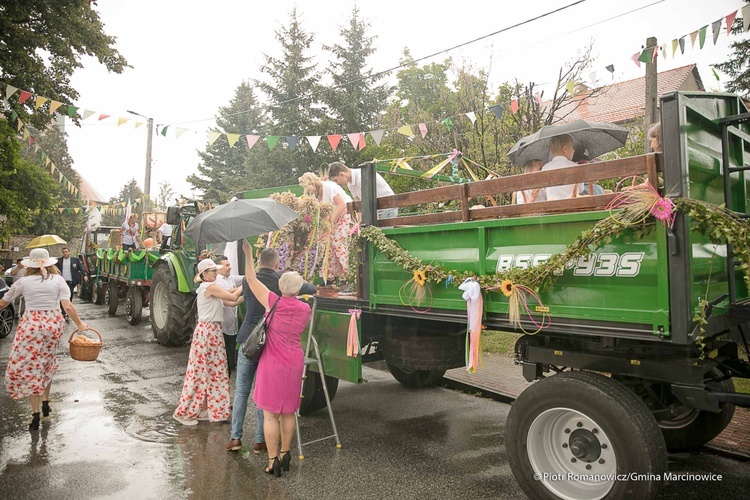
500,378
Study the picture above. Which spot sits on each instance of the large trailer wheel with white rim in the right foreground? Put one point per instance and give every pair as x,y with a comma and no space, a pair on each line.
572,420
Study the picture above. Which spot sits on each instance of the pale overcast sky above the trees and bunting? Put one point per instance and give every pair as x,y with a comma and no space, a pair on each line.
188,57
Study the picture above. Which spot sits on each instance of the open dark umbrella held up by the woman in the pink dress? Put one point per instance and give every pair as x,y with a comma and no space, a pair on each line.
239,219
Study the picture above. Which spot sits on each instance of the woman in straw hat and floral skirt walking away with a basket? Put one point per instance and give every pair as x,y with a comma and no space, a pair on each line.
33,361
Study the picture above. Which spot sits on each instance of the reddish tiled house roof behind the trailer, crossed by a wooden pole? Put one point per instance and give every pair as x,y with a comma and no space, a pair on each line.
624,101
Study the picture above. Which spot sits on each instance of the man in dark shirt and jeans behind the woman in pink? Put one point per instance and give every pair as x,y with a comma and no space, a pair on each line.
268,274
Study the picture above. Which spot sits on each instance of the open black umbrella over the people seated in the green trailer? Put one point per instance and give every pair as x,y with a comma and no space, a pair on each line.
596,138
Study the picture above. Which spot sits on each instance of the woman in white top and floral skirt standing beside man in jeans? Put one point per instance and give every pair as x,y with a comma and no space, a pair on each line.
205,392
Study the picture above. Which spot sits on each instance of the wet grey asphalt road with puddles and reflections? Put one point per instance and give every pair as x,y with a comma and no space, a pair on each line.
111,435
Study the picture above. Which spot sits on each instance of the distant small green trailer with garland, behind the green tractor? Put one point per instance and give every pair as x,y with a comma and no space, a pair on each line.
124,274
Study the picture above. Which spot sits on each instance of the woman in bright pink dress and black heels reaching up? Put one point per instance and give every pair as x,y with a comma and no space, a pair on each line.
278,381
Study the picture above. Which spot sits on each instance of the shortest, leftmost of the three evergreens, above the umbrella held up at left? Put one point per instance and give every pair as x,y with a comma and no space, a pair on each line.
222,171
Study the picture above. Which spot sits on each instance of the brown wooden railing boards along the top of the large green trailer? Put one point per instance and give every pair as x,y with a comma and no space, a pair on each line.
649,164
